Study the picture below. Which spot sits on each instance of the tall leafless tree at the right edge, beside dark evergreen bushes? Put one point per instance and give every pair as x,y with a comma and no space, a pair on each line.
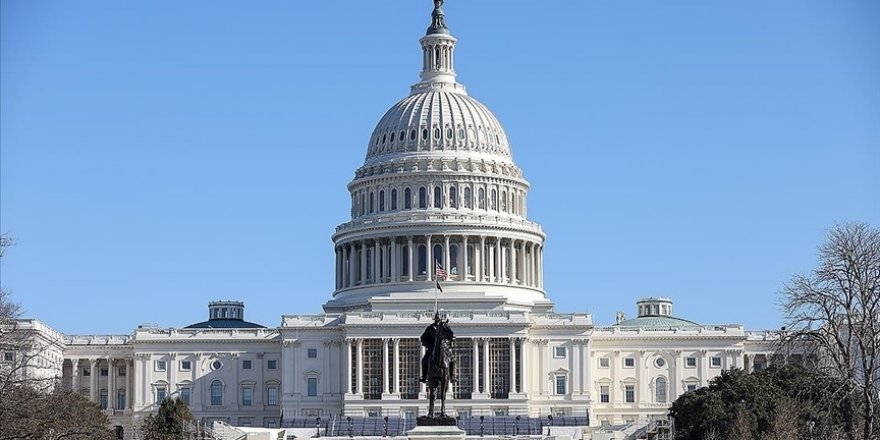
834,314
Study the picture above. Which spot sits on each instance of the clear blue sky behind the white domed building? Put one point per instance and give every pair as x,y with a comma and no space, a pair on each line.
157,155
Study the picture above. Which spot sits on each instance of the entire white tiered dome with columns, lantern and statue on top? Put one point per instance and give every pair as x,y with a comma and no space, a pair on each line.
438,199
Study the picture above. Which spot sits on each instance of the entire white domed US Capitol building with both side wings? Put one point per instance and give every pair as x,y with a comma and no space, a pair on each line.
438,187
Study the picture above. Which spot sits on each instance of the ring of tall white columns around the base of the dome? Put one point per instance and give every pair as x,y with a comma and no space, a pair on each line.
466,258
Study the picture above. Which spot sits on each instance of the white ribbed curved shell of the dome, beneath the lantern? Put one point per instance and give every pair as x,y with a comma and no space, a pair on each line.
439,121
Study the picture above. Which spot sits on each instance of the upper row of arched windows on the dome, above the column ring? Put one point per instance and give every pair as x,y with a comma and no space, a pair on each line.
503,199
